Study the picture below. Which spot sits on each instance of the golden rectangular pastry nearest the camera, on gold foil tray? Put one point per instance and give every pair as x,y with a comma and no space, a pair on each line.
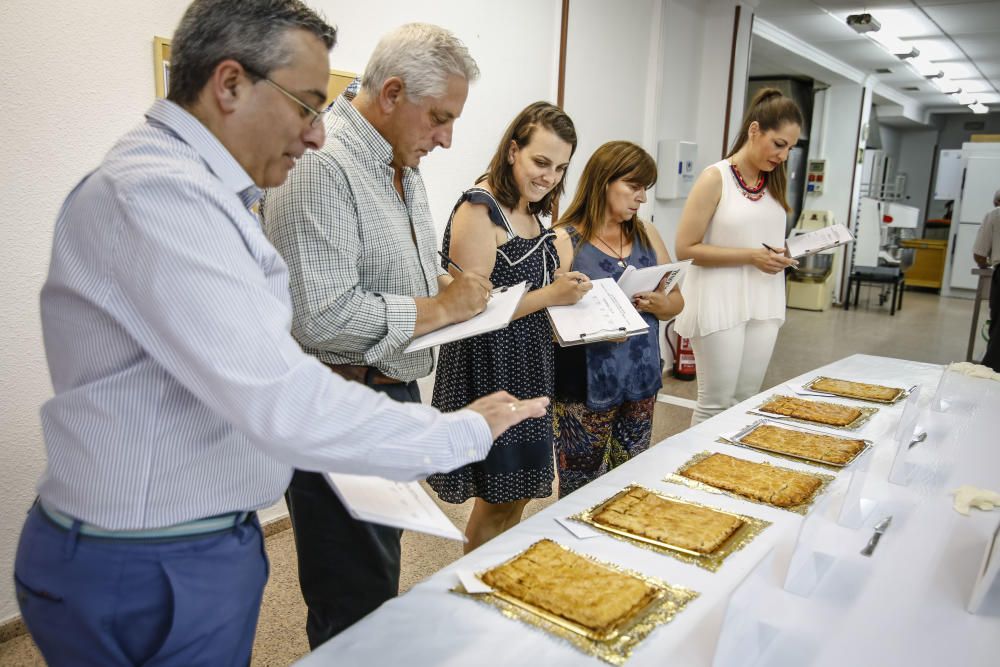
552,578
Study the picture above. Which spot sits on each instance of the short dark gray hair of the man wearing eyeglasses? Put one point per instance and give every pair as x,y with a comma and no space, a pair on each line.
251,32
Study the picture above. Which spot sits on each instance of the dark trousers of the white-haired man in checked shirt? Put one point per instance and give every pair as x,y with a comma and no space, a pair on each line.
347,568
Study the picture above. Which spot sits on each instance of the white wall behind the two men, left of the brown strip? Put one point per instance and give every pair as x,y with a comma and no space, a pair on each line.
75,76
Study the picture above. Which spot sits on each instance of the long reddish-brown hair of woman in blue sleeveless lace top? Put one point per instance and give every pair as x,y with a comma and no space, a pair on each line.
615,160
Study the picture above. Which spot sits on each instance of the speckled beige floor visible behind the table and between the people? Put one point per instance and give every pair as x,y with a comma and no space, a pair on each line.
928,328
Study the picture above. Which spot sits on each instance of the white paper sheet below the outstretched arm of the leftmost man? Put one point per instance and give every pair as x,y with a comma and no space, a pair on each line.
401,504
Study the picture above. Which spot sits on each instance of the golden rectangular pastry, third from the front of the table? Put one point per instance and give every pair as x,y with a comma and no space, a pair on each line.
757,481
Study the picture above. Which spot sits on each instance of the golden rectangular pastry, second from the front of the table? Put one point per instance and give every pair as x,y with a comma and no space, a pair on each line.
691,527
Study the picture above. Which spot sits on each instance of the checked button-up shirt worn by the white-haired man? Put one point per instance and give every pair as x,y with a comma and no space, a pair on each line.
357,253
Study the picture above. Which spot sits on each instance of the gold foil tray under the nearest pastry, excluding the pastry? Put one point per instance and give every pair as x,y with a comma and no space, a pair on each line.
614,648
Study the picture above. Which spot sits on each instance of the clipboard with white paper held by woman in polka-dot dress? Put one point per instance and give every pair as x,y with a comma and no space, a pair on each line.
604,313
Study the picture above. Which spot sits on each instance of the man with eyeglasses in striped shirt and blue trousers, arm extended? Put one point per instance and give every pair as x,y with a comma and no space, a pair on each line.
181,400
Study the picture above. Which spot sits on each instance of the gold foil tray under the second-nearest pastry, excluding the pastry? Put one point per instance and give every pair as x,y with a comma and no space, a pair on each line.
751,527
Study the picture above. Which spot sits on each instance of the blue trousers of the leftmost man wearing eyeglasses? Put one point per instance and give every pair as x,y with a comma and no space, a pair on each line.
98,601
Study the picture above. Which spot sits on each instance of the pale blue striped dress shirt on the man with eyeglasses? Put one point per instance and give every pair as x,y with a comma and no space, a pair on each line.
179,393
